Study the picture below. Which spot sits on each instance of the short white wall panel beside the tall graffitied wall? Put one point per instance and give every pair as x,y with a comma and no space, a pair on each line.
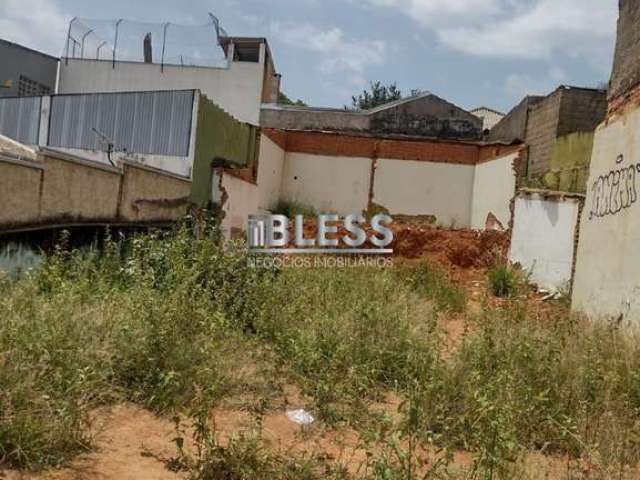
543,238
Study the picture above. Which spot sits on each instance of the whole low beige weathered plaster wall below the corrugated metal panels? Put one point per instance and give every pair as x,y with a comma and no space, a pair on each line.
59,189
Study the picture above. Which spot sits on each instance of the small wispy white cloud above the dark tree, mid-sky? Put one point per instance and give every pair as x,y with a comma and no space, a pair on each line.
338,53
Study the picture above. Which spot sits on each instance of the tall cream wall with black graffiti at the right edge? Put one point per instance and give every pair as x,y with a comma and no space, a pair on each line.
607,281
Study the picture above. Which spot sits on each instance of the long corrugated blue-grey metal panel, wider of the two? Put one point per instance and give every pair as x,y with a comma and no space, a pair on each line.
155,123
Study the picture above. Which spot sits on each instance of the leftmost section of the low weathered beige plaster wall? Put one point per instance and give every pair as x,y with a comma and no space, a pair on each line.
19,191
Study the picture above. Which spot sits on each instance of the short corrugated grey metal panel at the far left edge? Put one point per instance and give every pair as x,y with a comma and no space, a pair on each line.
20,119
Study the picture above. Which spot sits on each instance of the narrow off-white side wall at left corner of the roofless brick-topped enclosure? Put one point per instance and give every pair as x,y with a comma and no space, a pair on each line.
270,173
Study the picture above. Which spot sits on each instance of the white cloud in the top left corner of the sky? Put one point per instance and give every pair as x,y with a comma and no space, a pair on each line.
37,24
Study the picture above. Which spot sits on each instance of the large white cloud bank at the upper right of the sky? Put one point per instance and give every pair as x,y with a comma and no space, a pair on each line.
533,29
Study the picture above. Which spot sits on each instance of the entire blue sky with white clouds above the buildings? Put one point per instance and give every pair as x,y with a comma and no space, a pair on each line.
471,52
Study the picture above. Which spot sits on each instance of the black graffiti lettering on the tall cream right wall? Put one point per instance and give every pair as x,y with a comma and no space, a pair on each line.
614,191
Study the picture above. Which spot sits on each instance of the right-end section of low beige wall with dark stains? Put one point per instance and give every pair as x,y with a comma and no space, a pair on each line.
151,195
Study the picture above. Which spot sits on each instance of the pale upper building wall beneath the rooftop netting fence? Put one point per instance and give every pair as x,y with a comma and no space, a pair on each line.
237,89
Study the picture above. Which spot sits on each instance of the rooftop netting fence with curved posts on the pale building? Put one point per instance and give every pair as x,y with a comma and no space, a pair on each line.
167,43
